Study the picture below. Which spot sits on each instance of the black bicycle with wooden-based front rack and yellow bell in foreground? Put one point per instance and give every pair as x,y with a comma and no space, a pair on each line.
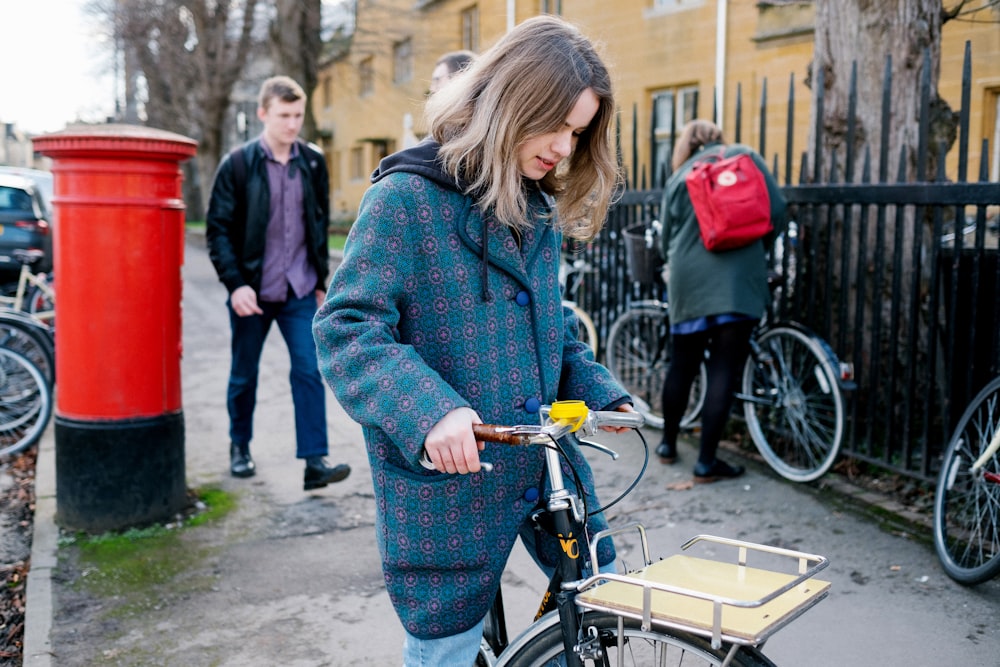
683,610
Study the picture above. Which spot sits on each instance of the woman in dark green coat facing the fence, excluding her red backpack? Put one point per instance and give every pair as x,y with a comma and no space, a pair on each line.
716,300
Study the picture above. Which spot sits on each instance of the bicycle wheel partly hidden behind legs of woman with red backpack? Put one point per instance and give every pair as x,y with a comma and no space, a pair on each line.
638,355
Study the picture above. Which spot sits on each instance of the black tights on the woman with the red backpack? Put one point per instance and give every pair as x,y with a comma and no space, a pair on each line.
728,346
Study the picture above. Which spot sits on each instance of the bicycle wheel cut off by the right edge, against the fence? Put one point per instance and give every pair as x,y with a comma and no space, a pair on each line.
967,502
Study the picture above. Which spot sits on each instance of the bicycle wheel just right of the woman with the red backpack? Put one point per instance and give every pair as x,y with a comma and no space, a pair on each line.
792,403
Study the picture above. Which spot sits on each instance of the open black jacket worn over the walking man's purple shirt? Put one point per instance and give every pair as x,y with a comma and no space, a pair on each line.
235,231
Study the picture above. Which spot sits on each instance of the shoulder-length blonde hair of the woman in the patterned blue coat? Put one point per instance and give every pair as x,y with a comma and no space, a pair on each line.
525,86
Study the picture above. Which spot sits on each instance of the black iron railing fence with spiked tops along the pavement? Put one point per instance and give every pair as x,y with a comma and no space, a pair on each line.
902,279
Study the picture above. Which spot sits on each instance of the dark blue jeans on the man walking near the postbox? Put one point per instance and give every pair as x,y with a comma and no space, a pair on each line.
294,318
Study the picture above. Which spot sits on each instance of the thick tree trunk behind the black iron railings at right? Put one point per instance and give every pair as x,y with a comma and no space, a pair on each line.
898,40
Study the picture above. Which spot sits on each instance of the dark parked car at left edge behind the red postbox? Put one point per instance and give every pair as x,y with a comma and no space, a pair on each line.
24,225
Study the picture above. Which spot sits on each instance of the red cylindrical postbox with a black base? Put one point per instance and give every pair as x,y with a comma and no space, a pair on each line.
118,250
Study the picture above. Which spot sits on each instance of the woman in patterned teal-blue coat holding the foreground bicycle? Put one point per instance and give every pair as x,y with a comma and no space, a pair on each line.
446,312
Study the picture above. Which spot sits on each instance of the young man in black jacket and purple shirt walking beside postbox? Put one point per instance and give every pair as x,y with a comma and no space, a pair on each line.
267,238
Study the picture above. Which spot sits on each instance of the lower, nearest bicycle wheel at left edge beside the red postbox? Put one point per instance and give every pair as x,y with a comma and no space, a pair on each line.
25,403
